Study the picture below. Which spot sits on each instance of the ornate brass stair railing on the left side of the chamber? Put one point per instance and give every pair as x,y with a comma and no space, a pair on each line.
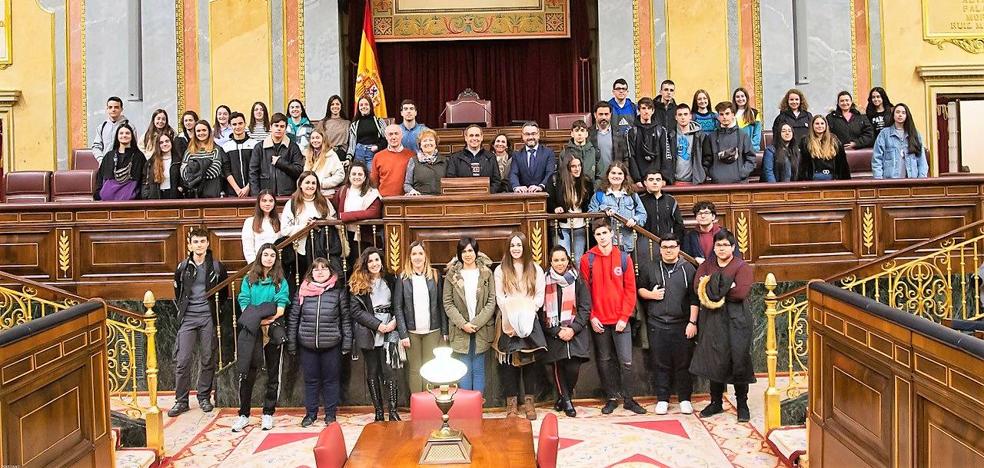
131,345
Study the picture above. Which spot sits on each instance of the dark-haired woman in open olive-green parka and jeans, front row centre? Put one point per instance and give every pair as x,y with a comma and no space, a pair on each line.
469,302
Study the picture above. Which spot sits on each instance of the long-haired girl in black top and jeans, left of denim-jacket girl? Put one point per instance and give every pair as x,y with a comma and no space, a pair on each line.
570,191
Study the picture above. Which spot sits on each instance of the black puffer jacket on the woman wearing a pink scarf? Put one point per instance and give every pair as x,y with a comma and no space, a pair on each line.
321,322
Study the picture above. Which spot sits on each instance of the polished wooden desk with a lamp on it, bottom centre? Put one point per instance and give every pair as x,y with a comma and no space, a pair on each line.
506,443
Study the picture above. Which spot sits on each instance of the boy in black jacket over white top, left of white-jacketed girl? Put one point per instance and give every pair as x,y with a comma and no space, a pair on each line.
277,162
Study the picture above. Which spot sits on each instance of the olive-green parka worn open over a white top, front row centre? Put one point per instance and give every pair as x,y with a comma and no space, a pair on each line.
457,309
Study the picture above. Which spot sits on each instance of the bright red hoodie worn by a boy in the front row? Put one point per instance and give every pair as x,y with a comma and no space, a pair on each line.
613,291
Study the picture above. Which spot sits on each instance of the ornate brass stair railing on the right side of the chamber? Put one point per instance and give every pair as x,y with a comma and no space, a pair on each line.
938,279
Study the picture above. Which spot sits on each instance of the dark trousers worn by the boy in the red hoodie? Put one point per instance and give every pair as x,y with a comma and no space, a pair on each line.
616,376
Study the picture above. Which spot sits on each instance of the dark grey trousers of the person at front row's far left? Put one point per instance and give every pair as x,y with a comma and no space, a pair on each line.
195,329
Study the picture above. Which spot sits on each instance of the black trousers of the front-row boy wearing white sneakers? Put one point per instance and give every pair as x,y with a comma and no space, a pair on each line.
671,352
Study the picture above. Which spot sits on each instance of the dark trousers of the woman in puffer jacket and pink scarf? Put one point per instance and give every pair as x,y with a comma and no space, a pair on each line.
321,368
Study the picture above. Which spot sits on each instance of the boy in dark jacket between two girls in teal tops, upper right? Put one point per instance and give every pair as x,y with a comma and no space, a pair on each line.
728,154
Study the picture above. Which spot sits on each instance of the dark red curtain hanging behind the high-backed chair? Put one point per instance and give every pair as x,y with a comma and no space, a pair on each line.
526,79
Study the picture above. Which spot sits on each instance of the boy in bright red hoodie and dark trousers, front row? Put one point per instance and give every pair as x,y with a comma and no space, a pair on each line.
611,277
